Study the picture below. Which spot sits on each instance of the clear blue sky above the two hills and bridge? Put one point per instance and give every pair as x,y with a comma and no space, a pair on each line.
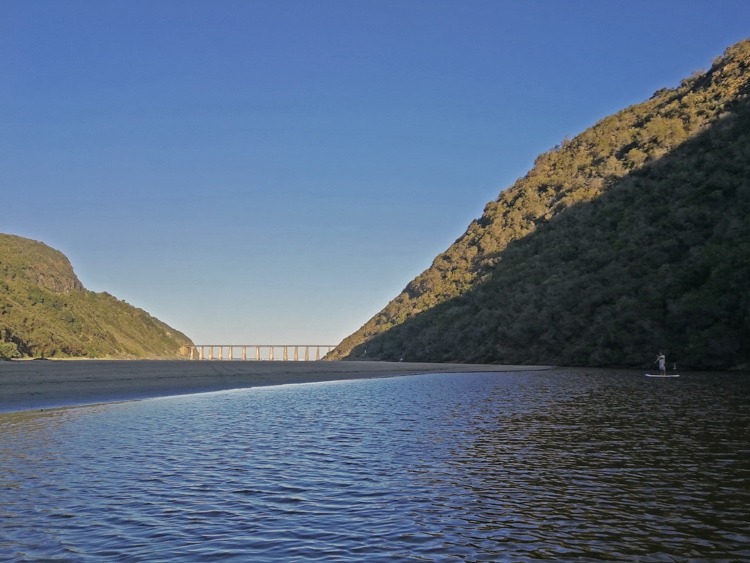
276,171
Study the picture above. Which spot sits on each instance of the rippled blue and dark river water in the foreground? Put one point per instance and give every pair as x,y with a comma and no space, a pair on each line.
574,465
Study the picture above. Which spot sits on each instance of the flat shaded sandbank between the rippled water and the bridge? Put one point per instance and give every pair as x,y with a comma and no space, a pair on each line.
41,384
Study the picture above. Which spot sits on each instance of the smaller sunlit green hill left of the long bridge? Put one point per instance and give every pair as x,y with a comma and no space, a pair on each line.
46,312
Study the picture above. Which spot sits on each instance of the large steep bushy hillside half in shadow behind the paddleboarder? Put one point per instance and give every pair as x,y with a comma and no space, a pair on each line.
630,239
